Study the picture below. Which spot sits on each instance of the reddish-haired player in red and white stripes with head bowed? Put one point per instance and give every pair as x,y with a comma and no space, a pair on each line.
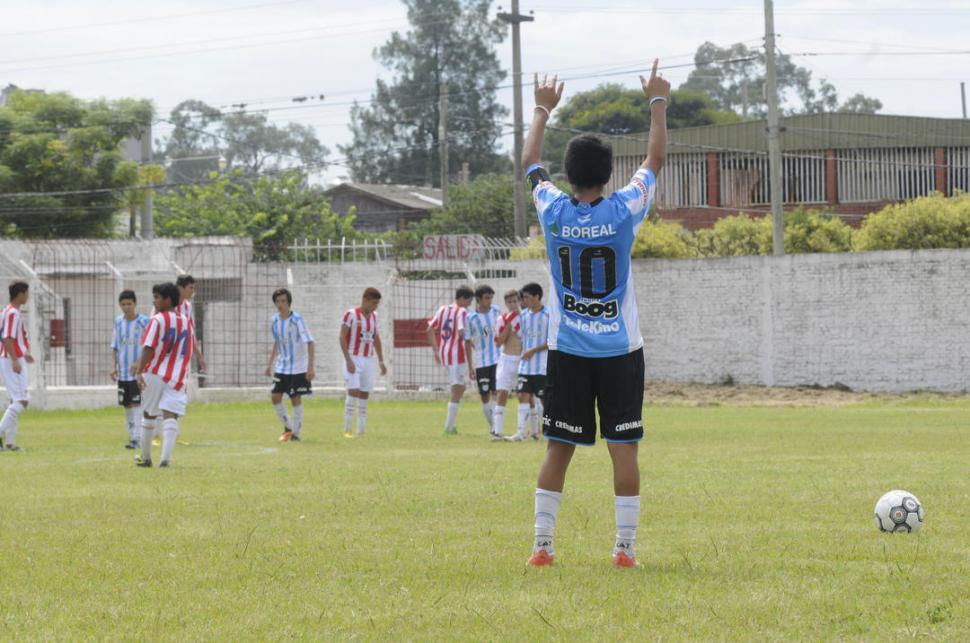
360,343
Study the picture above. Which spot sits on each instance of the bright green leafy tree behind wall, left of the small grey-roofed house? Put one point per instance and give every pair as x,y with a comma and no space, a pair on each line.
272,210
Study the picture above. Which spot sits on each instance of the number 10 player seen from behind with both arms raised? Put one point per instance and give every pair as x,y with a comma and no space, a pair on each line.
595,345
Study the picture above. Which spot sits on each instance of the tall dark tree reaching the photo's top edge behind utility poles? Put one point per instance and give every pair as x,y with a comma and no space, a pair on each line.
451,44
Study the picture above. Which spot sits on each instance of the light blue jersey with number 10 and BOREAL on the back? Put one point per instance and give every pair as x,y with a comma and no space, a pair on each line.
594,307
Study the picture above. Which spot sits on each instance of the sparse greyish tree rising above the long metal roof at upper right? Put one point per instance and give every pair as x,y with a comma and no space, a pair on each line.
734,77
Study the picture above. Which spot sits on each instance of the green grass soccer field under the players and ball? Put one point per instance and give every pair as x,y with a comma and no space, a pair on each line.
757,524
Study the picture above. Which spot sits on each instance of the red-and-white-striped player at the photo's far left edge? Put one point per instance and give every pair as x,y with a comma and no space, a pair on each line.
14,357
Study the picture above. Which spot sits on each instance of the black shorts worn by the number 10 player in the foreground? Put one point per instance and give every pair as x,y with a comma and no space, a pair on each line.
613,384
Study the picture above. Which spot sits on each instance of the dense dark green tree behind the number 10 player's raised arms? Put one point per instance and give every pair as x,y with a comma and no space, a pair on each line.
614,109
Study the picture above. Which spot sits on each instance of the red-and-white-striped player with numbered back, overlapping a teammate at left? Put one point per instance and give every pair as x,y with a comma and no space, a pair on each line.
163,370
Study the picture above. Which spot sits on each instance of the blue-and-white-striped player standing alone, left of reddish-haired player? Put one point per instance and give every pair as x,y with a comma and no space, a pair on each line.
290,363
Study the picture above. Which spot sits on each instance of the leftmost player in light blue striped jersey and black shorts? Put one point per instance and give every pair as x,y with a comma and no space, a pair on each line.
126,345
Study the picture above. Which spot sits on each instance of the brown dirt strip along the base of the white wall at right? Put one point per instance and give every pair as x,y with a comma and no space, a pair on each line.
666,393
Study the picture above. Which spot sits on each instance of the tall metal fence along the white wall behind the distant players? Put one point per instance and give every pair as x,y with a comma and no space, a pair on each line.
75,287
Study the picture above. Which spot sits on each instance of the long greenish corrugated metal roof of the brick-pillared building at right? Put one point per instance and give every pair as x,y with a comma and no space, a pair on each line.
811,132
